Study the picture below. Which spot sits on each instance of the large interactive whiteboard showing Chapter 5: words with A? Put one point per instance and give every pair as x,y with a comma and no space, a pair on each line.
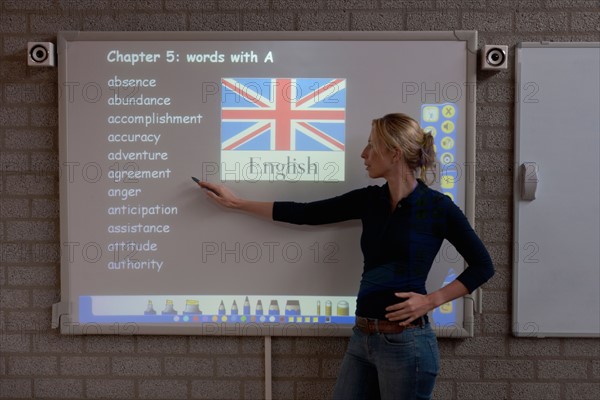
276,116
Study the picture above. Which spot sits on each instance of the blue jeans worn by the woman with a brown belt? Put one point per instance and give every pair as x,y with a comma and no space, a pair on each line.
396,366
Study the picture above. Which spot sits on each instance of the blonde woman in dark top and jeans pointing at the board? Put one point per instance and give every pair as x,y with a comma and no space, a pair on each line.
393,352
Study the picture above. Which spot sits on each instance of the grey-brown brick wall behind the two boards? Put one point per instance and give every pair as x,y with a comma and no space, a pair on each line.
36,362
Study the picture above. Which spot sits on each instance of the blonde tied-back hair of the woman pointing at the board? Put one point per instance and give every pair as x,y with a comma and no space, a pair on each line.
400,132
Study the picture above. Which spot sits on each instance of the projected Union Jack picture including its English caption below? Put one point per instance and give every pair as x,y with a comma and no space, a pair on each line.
283,129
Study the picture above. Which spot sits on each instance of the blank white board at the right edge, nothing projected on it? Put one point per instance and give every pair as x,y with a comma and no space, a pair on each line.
556,288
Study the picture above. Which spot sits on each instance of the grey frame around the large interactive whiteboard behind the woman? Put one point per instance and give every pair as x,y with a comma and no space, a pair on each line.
61,311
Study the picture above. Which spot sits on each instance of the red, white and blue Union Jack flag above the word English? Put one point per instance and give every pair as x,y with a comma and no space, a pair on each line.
283,114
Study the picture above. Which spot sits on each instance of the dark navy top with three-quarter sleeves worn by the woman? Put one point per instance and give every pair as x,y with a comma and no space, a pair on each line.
399,247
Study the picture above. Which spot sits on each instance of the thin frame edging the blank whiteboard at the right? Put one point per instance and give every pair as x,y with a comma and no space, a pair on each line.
530,328
